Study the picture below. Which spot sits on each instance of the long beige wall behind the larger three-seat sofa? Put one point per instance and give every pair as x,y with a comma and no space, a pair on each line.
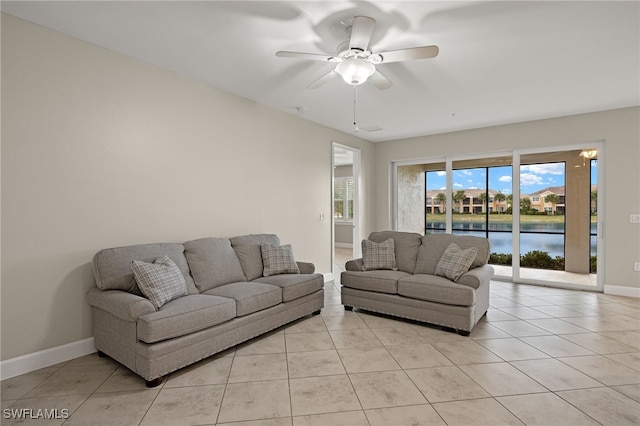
100,150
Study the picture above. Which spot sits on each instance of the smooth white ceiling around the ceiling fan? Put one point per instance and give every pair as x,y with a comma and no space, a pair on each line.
499,62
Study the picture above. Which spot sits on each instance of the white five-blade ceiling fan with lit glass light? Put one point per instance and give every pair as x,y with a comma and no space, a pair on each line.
356,63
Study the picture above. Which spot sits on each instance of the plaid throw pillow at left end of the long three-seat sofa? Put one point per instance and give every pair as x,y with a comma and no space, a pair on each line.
160,281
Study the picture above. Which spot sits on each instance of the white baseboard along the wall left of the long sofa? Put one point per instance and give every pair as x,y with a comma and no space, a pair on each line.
35,361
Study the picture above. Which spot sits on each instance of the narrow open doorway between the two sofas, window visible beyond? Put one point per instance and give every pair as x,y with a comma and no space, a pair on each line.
345,205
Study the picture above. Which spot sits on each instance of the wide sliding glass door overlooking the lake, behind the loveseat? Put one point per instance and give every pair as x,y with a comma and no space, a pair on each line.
539,210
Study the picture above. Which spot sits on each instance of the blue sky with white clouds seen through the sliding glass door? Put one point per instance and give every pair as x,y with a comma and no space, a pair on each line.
534,177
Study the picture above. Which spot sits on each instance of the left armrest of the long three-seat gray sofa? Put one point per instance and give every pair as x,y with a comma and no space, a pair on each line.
123,305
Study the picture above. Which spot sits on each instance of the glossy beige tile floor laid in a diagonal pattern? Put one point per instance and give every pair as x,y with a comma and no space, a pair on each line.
541,356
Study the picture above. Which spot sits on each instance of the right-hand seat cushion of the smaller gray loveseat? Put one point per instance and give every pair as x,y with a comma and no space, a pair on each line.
436,289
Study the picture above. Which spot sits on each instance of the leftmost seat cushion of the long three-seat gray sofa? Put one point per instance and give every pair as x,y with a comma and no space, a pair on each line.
183,316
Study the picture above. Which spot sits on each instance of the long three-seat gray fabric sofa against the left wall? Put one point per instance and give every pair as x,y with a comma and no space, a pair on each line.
228,300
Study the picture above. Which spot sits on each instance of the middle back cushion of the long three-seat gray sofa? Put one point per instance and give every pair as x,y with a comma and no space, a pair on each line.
213,262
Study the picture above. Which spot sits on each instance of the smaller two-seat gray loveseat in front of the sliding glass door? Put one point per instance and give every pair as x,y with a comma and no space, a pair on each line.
413,290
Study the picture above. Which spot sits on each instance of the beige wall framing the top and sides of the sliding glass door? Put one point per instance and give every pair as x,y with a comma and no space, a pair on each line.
618,128
